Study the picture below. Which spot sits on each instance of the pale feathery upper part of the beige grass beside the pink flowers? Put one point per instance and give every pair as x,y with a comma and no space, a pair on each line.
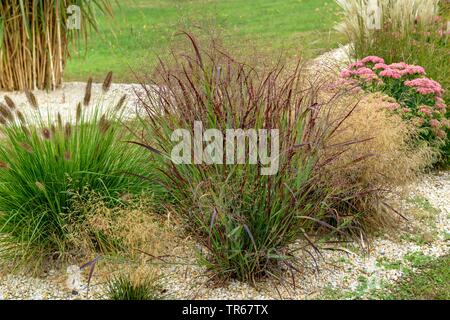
394,160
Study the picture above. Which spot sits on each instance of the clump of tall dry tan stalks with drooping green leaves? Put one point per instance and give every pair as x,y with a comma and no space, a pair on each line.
34,40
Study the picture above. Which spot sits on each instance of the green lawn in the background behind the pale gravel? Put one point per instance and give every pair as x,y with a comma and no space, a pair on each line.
143,28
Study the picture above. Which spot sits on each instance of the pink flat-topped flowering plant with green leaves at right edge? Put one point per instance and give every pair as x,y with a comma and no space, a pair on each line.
416,97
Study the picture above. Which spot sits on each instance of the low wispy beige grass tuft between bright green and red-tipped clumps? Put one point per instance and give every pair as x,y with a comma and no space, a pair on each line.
129,231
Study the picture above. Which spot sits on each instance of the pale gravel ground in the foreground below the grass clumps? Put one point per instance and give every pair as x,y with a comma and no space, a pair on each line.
344,271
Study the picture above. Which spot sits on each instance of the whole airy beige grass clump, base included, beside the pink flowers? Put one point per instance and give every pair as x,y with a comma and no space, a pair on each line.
383,158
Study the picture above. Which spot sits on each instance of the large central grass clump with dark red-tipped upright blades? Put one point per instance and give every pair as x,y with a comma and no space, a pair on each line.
243,219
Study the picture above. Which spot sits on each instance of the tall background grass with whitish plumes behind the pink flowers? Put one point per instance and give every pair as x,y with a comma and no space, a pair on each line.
413,31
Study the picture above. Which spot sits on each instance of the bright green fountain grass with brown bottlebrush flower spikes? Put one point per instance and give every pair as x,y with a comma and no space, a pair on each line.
48,166
